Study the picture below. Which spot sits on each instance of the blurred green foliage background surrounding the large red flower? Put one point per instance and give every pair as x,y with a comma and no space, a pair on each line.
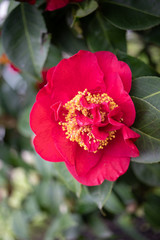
38,199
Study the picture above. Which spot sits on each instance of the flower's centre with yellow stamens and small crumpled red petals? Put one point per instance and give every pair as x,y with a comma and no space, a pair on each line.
86,121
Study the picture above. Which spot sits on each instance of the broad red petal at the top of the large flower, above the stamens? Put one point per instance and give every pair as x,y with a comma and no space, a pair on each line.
75,74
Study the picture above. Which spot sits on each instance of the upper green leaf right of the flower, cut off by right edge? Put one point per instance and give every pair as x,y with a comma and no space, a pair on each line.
147,88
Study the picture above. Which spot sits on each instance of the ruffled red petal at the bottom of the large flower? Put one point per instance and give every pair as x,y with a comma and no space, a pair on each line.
112,162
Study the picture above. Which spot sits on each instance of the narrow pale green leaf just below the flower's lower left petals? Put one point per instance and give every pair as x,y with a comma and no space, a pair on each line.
67,178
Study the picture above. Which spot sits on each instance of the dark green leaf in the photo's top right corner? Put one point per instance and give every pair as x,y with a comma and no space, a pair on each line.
126,17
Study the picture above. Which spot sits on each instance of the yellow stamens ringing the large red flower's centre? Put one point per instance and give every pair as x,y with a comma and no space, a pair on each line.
73,131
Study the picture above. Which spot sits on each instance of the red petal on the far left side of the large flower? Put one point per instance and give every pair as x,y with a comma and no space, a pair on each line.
48,130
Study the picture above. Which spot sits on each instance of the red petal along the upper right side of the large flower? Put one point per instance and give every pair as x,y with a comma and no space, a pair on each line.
118,77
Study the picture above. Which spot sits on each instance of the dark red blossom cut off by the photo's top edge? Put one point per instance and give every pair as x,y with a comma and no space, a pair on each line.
53,4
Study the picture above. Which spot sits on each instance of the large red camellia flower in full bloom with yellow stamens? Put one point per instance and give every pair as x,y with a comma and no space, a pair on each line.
82,117
